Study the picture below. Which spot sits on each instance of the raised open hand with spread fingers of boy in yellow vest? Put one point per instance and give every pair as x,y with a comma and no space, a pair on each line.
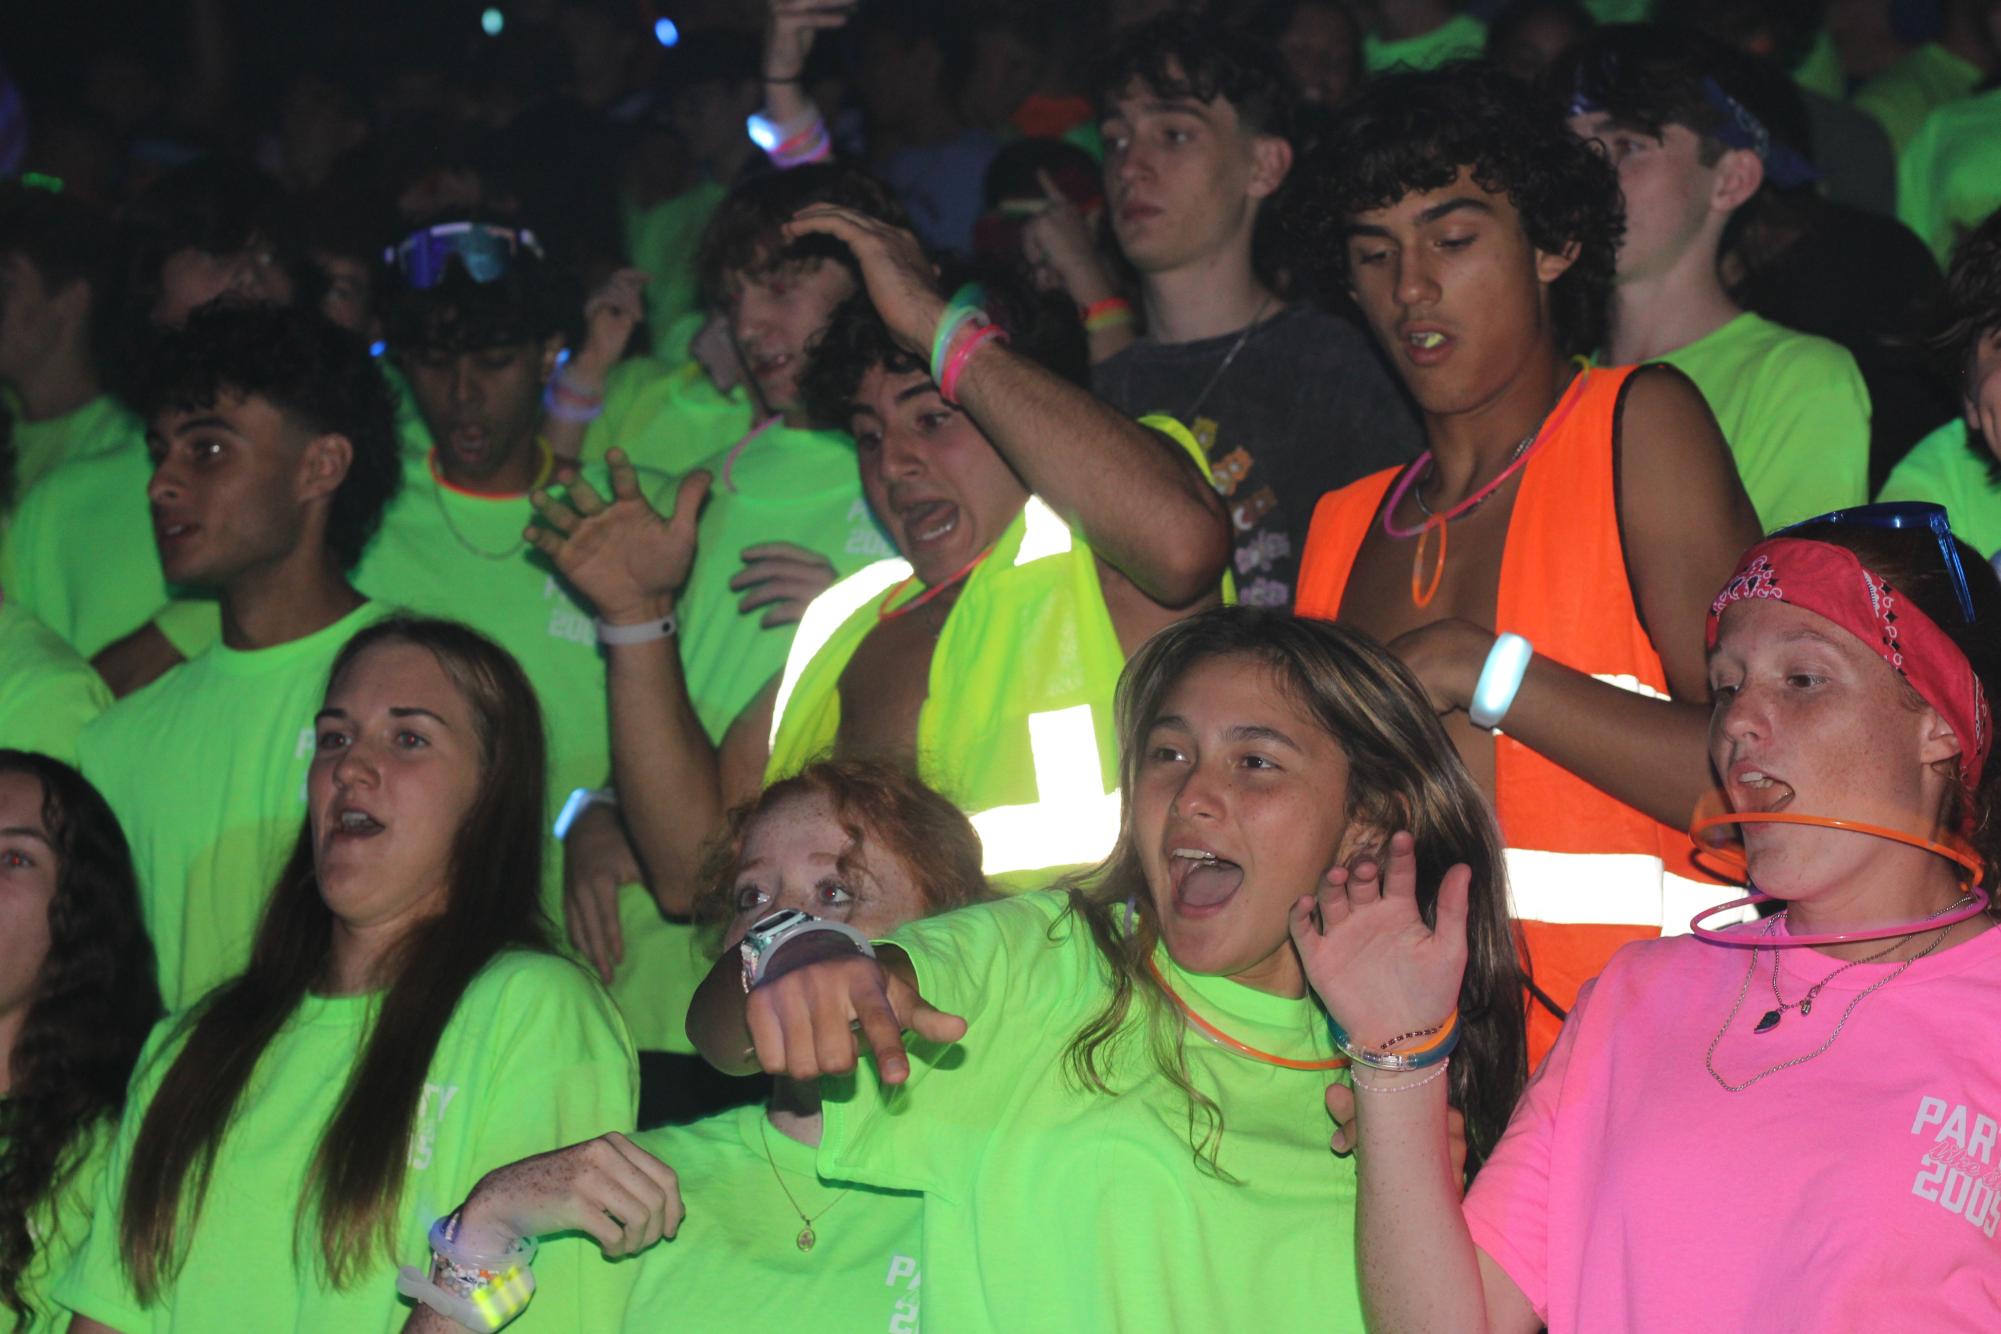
623,557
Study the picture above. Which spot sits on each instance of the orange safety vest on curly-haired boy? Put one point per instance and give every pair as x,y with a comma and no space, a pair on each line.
1586,871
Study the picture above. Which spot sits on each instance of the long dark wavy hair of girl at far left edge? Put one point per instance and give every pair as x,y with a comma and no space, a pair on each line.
95,1003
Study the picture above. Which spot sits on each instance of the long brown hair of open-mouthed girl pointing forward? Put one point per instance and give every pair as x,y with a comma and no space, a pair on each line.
1404,773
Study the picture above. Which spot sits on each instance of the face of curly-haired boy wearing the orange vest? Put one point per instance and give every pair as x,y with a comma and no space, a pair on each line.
1454,291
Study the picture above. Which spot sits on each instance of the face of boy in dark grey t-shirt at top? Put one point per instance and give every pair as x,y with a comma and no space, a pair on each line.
1184,179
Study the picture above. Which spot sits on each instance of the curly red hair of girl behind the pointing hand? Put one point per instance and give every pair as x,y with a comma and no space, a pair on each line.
877,805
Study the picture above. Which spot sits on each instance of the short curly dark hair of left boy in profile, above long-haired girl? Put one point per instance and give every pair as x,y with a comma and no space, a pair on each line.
313,371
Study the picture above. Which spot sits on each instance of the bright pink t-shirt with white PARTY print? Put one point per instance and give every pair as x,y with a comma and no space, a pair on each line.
1858,1191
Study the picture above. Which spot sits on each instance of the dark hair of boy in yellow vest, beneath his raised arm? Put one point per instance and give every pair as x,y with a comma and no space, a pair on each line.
1040,325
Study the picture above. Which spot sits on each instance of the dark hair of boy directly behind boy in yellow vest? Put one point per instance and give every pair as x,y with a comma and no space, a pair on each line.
743,235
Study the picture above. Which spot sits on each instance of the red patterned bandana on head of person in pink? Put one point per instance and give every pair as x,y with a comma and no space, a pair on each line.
1832,583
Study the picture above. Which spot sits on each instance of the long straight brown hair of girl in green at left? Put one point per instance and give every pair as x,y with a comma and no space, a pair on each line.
493,905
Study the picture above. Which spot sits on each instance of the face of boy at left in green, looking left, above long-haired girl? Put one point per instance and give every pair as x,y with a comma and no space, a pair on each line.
227,489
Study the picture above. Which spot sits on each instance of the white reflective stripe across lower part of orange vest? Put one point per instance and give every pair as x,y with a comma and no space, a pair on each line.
1610,889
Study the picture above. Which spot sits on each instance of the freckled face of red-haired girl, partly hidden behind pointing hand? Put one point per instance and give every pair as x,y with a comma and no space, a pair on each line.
793,859
